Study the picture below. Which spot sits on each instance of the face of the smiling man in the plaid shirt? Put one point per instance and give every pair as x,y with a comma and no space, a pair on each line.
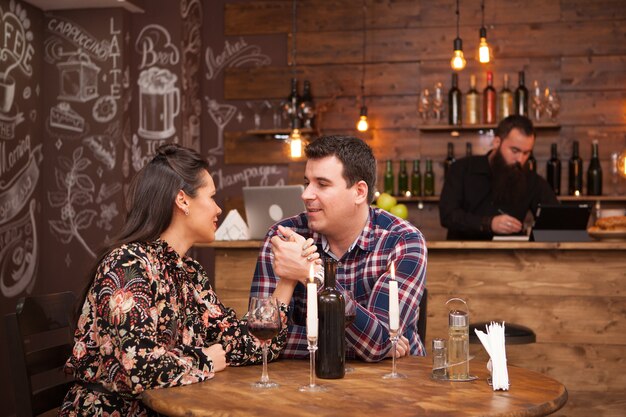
330,203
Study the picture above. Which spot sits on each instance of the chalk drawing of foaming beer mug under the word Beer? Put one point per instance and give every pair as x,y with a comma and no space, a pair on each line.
159,103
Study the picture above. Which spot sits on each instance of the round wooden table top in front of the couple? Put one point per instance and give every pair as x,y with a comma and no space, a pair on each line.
362,393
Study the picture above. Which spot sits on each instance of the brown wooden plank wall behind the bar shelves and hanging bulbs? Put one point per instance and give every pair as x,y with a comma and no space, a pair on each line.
574,46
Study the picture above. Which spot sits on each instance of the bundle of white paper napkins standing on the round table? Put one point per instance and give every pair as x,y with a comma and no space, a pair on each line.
494,344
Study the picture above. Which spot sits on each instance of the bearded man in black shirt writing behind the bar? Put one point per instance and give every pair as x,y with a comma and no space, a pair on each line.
491,194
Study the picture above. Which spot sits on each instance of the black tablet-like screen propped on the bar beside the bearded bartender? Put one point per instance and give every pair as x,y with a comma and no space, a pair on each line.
561,223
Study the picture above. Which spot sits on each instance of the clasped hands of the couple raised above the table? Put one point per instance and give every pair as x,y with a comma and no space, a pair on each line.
293,255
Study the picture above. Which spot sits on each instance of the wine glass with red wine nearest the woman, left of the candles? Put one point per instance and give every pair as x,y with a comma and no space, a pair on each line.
264,324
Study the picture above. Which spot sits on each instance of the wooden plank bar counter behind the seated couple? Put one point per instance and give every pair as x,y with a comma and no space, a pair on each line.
572,295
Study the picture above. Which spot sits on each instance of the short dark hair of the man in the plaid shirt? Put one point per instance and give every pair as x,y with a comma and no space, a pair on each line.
356,156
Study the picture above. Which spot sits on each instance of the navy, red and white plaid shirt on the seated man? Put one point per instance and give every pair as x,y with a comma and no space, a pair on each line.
364,270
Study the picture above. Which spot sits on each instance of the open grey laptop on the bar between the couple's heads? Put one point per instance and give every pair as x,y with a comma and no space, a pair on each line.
268,205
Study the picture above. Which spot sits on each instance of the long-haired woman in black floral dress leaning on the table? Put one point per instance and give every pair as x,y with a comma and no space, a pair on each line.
150,318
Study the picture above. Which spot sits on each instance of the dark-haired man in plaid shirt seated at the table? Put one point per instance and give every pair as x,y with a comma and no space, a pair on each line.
340,176
